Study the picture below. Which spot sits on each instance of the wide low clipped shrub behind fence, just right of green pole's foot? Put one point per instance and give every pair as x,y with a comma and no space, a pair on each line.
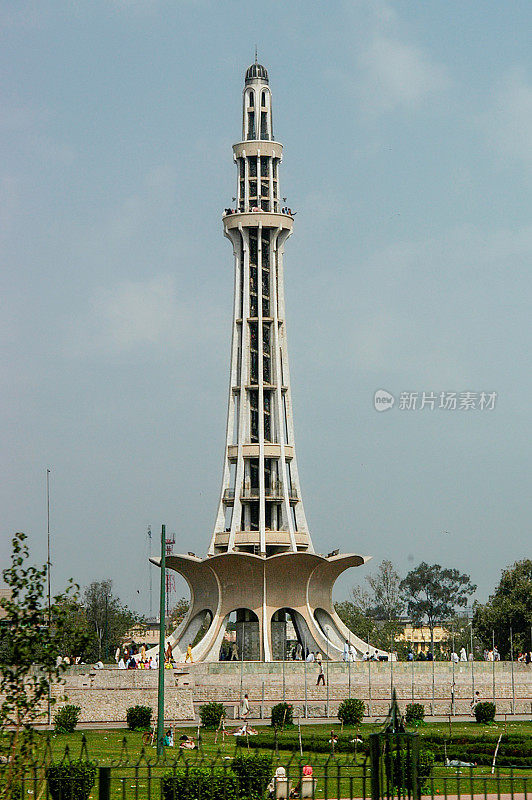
209,783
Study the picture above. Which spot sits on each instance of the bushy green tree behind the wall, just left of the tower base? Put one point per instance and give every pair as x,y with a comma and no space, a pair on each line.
107,618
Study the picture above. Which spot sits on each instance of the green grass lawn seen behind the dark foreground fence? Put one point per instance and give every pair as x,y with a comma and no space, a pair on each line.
337,776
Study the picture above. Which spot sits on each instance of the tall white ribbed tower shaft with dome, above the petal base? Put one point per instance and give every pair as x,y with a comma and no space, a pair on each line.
260,509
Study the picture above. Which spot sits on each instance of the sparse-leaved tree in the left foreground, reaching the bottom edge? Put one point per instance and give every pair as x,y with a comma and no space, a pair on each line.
34,638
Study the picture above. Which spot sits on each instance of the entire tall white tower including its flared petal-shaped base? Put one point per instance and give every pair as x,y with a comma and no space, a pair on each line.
261,562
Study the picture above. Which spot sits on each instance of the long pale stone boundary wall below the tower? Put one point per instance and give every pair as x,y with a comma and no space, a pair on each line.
444,689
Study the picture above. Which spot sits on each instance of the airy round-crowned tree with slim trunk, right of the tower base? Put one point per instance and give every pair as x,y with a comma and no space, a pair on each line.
433,593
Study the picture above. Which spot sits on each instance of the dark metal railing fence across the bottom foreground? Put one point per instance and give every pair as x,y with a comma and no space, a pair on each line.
346,776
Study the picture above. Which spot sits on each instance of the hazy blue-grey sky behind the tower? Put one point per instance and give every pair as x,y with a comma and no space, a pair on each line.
407,129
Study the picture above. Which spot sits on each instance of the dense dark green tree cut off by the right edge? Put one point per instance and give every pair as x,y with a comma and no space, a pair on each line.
510,606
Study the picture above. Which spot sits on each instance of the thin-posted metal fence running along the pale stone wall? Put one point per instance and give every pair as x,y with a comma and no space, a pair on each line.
444,687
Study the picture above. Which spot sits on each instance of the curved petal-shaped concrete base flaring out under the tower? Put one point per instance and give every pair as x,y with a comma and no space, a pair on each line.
299,583
